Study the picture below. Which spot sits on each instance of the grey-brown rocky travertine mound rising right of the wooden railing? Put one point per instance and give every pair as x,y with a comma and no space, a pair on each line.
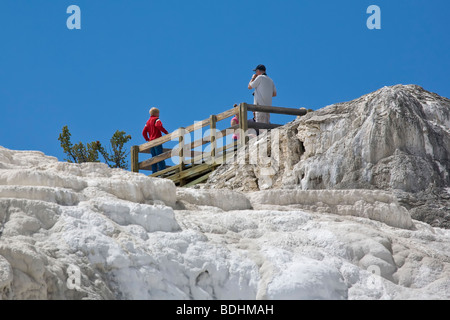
395,139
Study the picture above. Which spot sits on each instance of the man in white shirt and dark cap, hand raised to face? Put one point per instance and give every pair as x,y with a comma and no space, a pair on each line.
264,92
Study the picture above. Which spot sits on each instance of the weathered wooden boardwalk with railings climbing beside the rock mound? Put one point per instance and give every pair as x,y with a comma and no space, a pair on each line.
195,166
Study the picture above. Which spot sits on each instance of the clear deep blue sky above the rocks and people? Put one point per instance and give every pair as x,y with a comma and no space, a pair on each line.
195,58
